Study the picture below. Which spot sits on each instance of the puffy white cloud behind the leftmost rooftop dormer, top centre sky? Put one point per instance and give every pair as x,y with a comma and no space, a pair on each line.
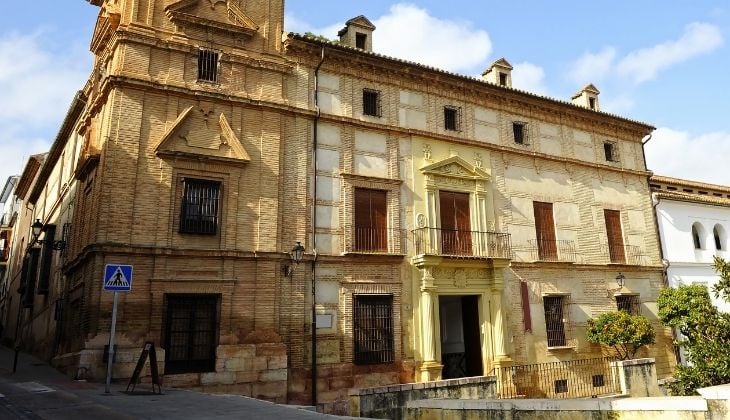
411,33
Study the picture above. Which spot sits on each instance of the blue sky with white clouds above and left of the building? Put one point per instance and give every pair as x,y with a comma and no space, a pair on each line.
665,63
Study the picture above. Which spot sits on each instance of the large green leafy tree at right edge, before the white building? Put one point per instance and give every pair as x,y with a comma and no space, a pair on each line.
705,332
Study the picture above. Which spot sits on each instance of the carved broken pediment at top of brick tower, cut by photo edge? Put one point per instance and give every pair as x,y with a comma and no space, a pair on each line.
223,15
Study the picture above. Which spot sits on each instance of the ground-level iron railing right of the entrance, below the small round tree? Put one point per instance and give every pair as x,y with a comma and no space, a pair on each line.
558,380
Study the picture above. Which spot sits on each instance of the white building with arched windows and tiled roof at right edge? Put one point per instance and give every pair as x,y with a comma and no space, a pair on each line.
694,221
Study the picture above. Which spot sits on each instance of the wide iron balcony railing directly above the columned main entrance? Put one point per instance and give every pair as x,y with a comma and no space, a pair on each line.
461,243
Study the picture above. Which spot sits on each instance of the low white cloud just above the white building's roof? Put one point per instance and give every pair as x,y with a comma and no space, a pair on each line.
681,155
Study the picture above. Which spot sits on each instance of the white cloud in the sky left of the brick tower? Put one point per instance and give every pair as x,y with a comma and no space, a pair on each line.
37,87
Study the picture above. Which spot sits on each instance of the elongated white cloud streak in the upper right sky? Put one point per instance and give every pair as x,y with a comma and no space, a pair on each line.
644,64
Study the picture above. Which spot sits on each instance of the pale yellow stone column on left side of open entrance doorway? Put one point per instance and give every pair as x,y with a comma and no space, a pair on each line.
430,368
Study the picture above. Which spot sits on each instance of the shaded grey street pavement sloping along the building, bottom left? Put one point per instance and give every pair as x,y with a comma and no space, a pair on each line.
37,391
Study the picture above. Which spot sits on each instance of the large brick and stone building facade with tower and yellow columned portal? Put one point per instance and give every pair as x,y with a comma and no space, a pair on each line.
442,216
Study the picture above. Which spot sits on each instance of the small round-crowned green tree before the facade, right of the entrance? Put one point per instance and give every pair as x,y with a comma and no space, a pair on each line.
624,332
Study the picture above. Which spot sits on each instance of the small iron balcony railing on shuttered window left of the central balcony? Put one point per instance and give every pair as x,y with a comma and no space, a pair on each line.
375,241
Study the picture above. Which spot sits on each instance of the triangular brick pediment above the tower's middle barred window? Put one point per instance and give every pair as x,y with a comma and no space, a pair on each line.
201,133
